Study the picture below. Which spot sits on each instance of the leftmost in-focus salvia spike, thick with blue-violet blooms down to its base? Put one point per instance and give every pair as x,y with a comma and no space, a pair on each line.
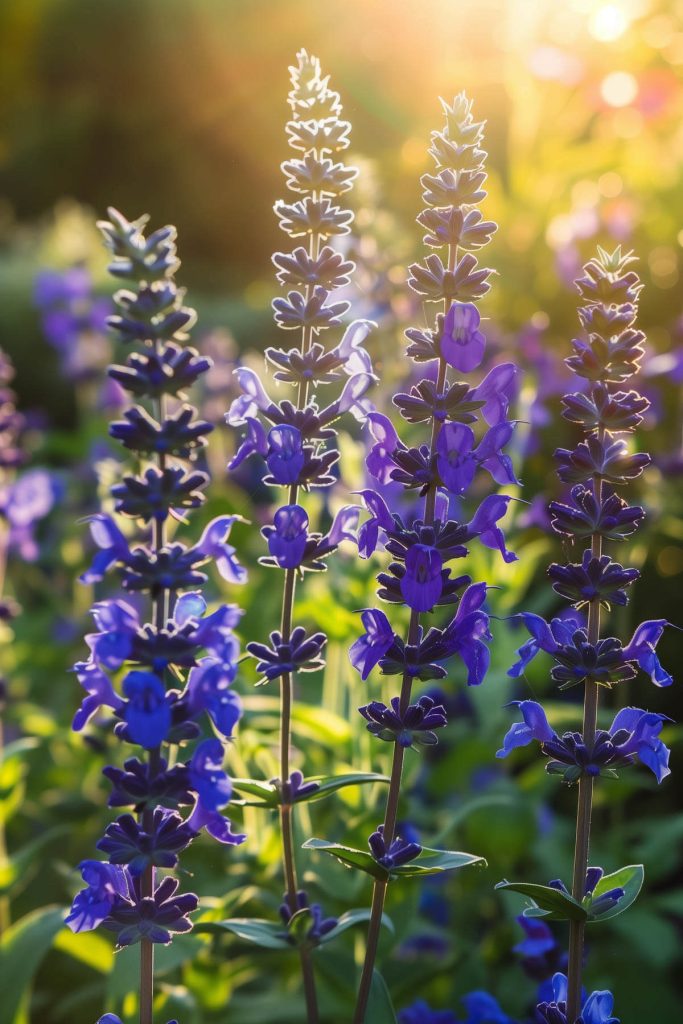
166,689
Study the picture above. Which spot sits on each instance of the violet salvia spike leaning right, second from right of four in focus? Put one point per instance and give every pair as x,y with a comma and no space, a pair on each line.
419,575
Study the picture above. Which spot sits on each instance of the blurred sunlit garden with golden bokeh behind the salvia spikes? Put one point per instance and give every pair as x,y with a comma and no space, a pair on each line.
177,108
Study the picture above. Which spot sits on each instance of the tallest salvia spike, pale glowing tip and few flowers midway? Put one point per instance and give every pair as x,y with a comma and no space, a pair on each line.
293,437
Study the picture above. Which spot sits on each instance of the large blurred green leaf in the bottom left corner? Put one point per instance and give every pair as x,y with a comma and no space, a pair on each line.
22,951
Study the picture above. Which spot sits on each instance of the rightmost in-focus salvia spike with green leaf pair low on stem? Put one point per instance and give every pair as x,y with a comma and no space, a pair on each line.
593,516
